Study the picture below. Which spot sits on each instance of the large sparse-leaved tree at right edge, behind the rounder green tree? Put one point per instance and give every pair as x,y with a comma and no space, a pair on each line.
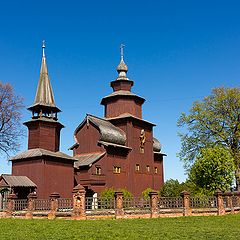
214,121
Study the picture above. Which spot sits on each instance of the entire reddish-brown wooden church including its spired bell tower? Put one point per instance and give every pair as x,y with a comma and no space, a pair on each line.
117,151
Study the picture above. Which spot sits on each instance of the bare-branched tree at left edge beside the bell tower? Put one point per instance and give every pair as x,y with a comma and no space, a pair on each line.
10,116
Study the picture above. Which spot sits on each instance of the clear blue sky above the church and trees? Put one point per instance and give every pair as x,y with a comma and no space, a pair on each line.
176,51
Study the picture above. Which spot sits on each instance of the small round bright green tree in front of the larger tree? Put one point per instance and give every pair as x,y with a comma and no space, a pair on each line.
213,169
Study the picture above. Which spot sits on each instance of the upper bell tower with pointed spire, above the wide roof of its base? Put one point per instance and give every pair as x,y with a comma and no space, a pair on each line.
44,128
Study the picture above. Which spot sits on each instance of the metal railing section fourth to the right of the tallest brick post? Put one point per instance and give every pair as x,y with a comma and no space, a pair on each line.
203,202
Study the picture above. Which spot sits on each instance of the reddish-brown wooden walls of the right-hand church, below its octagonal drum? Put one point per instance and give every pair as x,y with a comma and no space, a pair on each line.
129,178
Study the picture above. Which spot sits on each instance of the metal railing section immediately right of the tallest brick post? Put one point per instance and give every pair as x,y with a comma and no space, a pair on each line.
97,203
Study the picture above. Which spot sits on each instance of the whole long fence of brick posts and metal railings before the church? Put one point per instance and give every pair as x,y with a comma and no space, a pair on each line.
119,206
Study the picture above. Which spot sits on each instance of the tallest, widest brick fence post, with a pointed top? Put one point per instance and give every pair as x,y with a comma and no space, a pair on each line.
79,207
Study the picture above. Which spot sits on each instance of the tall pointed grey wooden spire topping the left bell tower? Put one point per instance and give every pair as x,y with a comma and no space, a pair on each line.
44,98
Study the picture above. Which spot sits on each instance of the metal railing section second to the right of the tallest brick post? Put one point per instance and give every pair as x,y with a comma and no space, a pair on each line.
135,203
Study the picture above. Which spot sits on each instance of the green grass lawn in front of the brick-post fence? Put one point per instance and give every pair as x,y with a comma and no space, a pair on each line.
211,227
